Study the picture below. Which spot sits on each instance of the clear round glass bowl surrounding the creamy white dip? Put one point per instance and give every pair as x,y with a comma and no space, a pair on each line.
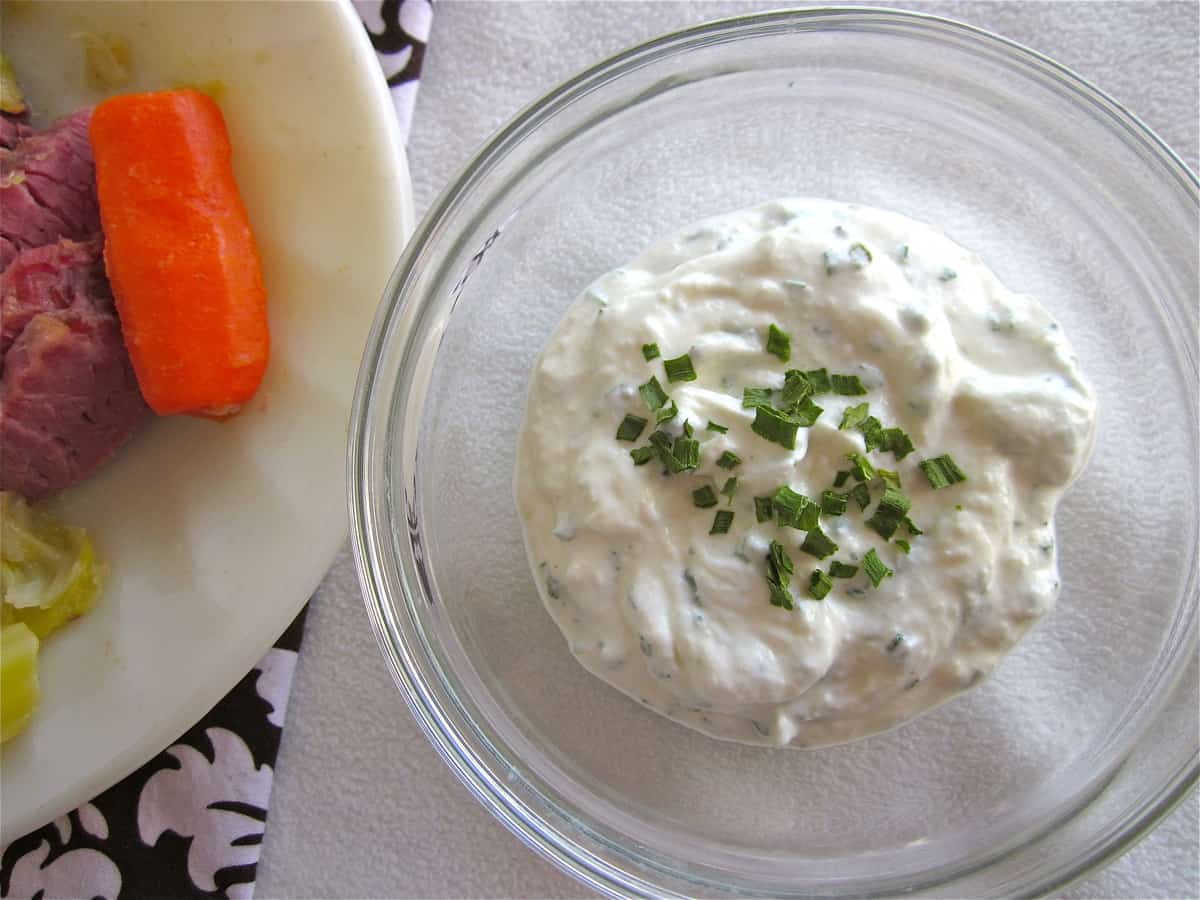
1085,736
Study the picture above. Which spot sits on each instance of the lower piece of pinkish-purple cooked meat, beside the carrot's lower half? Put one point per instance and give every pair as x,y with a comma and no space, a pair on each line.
69,400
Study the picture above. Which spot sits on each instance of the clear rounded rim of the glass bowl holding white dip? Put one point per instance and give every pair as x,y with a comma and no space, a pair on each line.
368,537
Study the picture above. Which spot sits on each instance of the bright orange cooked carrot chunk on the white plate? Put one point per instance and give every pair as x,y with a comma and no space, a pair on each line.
179,253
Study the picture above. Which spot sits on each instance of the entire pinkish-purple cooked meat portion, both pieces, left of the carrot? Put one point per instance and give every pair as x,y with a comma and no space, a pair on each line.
69,399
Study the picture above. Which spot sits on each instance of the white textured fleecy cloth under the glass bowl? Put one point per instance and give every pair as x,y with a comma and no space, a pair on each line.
363,806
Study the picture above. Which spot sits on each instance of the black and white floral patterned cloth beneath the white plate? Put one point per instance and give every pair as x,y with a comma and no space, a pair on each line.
190,823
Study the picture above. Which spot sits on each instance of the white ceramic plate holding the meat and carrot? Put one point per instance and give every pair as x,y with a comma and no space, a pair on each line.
218,533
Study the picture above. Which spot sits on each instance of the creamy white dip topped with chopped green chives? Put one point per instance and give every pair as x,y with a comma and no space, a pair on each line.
790,477
